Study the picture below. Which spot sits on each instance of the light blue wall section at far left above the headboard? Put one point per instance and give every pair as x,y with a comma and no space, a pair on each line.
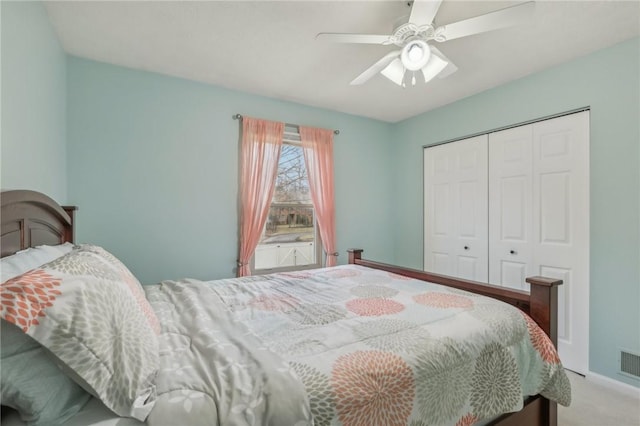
33,142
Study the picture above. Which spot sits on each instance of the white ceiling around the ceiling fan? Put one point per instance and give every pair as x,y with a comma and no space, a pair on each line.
268,48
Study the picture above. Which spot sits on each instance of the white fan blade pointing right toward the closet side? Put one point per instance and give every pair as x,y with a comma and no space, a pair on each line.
491,21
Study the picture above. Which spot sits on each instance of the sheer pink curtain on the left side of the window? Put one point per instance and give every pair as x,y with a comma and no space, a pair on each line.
260,153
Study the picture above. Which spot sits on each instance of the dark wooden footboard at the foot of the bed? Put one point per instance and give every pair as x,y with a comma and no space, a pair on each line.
541,304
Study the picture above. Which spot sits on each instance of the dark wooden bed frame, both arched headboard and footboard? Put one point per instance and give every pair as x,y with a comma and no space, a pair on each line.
30,218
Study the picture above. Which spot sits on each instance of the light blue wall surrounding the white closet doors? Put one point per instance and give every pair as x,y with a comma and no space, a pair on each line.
609,82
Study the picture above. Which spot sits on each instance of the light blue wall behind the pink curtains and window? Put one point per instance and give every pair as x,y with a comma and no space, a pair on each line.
153,166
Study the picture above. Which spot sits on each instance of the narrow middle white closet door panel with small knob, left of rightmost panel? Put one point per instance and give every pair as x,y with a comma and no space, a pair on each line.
510,206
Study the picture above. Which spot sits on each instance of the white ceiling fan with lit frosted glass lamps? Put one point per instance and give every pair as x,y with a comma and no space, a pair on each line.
416,54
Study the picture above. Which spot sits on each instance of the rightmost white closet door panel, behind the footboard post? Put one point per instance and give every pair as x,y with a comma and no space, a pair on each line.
561,225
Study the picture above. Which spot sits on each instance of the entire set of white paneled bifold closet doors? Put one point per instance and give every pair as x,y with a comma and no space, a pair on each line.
536,217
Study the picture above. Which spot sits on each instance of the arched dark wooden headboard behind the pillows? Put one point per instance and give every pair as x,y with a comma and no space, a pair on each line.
30,218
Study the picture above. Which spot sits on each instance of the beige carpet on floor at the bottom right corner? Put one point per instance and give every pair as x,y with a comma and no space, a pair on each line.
596,405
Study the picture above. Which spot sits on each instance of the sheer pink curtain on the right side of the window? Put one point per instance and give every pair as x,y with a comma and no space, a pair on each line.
317,146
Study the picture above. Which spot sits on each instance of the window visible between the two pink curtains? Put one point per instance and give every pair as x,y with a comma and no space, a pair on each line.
289,240
